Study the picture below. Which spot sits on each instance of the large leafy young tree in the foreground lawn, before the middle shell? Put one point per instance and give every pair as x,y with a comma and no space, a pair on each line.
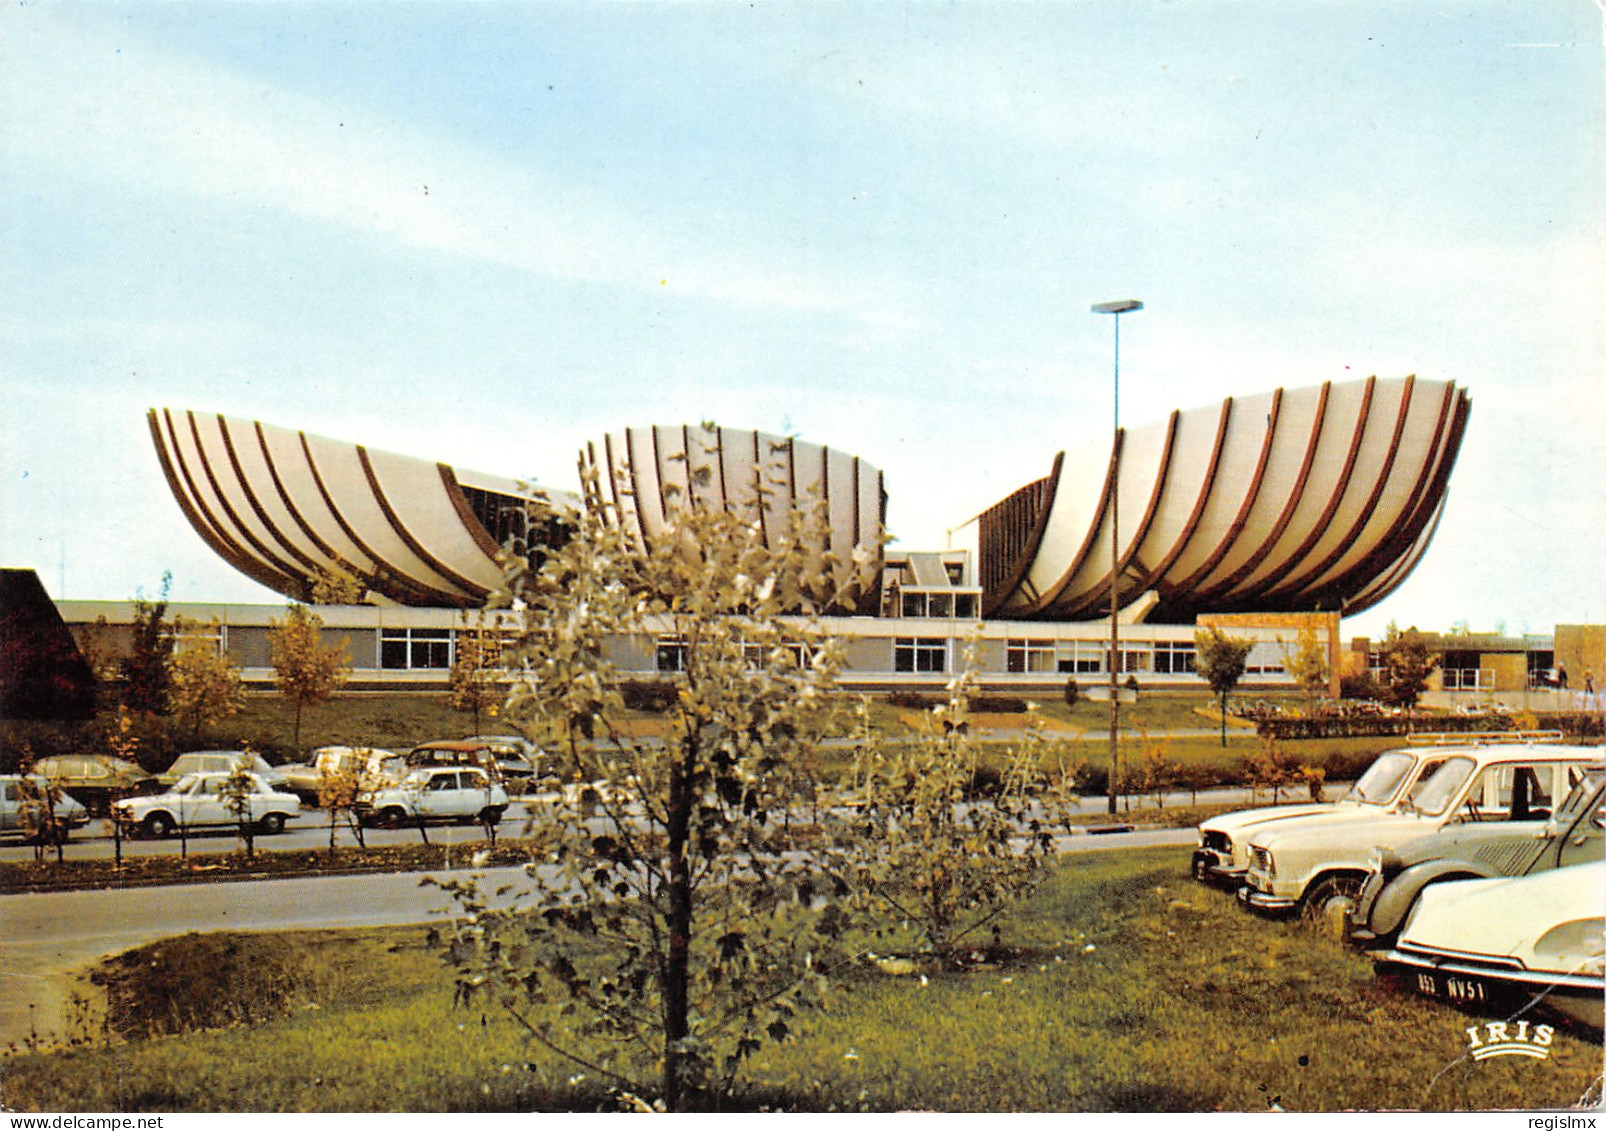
679,929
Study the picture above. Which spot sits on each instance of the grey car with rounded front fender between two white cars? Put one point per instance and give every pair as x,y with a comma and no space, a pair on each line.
1480,851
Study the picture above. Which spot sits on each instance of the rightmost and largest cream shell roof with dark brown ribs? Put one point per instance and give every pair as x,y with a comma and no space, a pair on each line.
1286,502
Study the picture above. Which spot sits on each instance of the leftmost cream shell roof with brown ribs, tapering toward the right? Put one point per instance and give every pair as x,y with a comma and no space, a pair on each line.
285,508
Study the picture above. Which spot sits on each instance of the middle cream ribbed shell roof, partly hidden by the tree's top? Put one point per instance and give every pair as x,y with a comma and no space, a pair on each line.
756,475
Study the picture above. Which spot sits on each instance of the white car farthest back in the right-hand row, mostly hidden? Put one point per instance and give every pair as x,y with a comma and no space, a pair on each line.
1223,855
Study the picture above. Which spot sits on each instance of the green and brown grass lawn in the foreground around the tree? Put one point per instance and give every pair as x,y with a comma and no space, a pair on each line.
1135,990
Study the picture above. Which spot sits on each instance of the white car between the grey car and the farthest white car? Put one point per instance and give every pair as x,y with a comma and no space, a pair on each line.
1319,867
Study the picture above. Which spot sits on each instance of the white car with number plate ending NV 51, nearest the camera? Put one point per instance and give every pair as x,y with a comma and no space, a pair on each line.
1499,944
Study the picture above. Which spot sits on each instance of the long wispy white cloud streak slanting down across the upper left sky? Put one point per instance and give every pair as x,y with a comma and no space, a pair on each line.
104,107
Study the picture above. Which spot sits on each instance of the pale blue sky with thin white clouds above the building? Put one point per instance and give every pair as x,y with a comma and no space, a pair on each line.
487,234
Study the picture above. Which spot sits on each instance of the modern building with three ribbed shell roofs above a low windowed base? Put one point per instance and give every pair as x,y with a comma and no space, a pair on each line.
1270,515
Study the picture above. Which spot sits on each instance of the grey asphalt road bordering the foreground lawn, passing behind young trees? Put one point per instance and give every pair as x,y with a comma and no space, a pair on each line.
47,937
